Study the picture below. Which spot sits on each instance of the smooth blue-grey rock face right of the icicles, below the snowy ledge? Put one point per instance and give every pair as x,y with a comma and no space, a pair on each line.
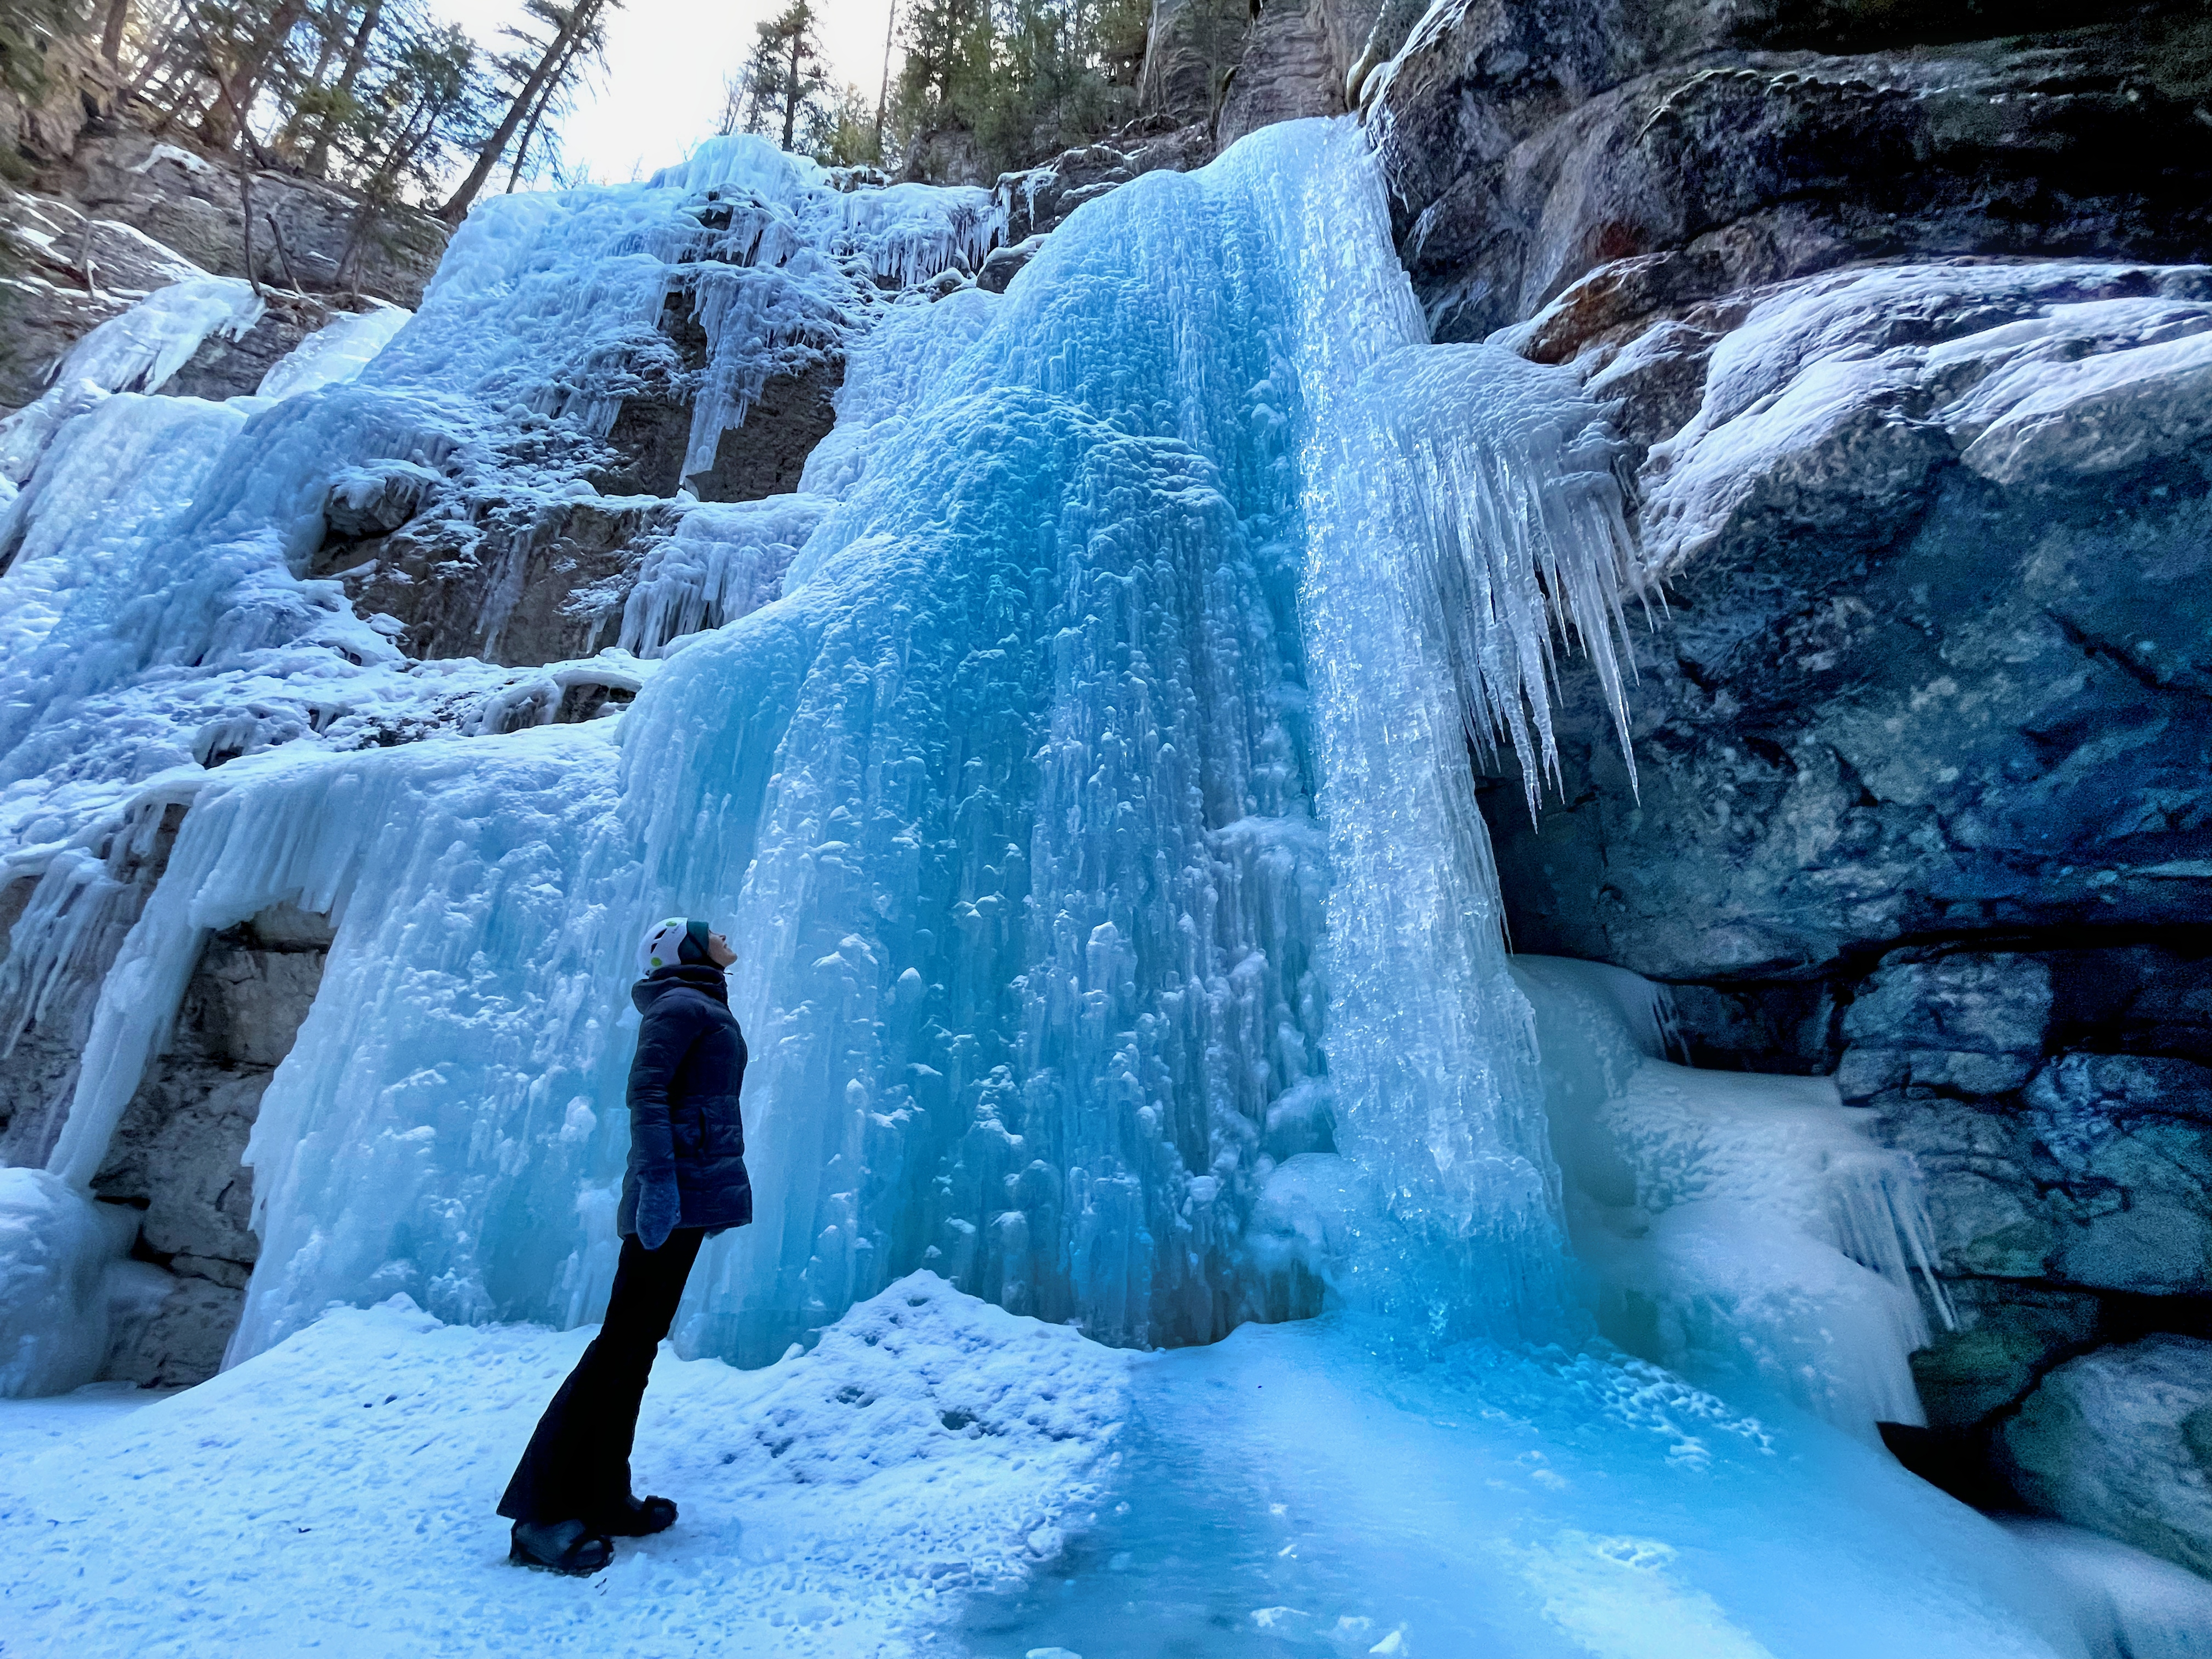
1943,740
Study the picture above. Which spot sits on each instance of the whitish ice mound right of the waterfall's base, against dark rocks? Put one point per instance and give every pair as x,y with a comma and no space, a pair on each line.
1742,1229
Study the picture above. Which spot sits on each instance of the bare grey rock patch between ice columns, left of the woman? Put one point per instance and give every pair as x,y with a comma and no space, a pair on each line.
178,1149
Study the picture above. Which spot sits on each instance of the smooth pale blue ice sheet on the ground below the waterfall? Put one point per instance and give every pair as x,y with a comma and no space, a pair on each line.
1326,1488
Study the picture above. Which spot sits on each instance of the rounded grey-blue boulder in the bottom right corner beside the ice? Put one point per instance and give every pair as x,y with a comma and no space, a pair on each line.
2120,1441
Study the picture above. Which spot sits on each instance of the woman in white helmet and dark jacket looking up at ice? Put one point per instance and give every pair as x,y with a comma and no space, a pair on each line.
687,1182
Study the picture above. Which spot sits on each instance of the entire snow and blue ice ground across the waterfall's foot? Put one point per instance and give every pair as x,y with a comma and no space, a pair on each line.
941,1477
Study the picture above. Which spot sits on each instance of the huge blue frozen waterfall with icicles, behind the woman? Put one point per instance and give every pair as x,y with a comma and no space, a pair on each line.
1076,755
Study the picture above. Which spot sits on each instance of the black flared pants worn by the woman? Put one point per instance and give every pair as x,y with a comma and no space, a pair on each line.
578,1463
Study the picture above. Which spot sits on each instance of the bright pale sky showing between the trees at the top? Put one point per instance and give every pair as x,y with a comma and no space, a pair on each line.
660,90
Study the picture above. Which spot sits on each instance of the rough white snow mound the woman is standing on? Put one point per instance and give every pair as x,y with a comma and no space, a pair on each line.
337,1492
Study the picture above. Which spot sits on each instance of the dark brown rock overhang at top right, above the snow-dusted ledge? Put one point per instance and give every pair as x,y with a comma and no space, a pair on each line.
1534,145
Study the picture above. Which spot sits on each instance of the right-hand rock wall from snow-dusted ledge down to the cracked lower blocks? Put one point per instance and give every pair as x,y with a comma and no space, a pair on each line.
1921,778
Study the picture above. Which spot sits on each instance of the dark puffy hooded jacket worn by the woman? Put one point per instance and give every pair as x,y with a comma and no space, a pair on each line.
685,1085
